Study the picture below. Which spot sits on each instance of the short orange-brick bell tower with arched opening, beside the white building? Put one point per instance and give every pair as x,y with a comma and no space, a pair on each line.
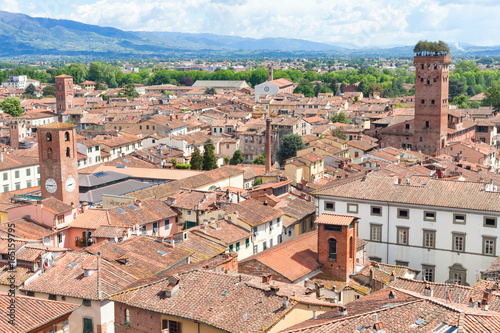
337,235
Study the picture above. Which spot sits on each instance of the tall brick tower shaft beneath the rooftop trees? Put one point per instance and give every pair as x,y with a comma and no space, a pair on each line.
431,103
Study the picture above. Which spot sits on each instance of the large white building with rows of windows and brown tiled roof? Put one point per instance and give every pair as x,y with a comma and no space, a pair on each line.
450,243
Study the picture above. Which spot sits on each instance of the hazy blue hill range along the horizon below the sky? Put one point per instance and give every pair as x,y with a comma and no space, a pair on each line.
25,36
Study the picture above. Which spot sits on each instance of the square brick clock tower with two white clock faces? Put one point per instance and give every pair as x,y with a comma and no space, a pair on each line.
58,162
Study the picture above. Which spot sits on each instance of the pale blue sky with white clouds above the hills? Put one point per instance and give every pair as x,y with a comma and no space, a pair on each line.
359,22
